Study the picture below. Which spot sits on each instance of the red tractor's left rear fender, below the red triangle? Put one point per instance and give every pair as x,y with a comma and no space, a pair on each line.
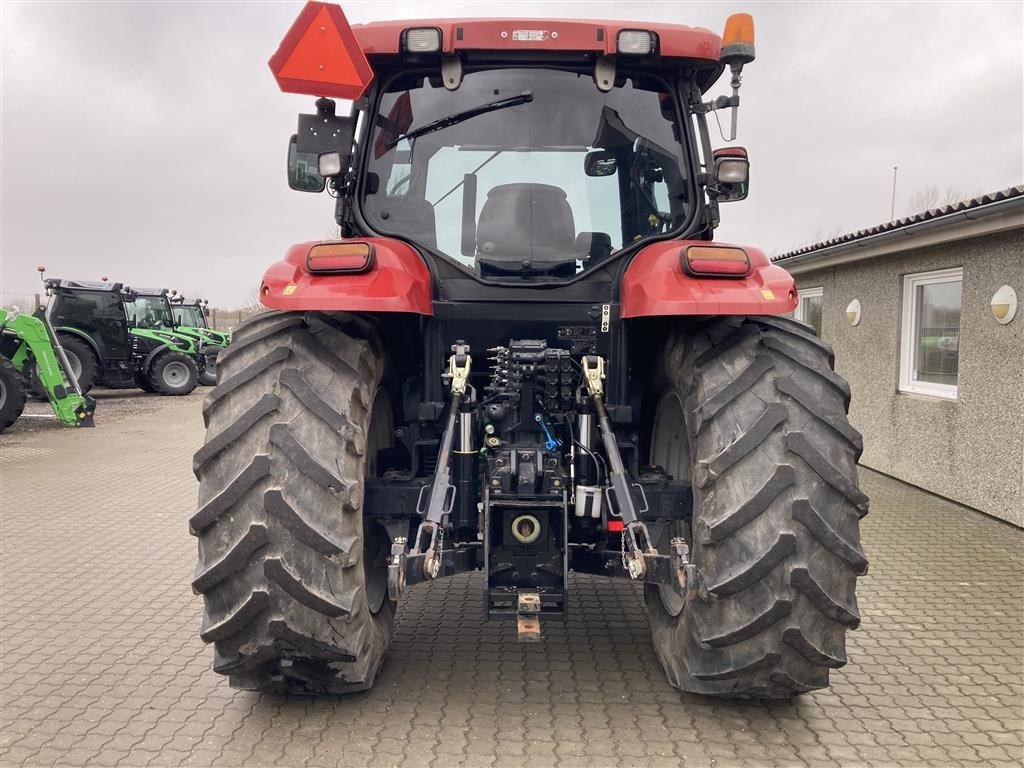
397,282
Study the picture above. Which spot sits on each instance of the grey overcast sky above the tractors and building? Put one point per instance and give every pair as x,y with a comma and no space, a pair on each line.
147,141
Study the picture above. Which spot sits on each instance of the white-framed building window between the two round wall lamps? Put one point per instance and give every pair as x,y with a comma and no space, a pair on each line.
930,342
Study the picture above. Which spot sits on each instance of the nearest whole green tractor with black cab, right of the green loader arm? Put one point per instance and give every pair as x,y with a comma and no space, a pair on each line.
109,345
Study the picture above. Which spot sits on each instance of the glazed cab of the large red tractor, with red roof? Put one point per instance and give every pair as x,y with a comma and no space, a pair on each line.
525,154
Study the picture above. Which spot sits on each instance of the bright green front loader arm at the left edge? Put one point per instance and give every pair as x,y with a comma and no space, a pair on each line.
29,351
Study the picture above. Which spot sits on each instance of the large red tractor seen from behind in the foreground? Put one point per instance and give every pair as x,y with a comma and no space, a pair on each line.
525,356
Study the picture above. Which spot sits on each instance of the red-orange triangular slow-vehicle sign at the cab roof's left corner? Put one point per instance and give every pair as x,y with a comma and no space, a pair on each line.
321,57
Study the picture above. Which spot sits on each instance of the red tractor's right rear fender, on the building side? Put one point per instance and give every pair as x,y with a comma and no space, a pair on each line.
655,284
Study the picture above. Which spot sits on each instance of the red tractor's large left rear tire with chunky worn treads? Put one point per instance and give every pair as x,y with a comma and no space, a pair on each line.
290,575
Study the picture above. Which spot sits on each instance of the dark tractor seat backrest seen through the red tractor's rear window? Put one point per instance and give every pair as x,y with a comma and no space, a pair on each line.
526,223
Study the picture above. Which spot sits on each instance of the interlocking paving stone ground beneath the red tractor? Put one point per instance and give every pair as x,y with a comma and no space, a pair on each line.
102,664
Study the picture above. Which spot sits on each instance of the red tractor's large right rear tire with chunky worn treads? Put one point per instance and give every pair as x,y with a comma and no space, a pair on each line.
752,413
